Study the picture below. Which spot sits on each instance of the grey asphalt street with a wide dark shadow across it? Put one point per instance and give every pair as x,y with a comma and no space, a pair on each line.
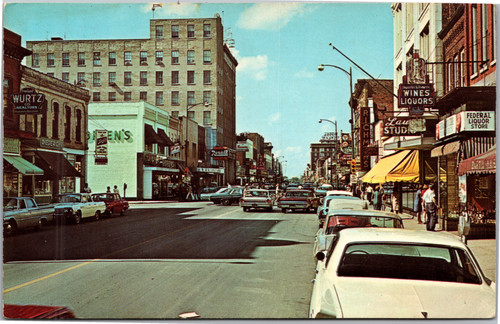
161,260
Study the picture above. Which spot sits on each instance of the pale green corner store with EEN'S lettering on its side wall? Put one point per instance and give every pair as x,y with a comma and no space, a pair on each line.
129,147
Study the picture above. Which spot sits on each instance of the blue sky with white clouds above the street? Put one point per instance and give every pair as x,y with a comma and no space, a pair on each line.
280,92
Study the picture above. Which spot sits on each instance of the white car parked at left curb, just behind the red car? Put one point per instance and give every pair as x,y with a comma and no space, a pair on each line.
76,206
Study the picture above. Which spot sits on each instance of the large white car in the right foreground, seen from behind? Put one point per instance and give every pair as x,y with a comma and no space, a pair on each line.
406,274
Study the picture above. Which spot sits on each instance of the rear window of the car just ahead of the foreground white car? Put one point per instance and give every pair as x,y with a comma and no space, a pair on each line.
339,222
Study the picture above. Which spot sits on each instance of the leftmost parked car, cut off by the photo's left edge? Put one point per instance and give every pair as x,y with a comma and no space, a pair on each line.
23,212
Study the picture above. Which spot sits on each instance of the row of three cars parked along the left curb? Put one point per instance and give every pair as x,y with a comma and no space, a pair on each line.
24,212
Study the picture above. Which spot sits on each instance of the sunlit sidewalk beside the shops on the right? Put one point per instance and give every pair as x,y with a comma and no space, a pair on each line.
485,250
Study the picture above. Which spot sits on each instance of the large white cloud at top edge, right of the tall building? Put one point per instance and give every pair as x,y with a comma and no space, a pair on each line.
269,16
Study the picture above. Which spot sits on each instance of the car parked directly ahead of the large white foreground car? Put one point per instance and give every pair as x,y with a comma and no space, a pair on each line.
338,220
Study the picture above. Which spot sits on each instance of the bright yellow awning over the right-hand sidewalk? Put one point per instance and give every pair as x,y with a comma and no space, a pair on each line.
400,166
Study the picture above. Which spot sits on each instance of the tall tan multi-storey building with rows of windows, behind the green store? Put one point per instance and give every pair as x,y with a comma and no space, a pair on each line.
183,67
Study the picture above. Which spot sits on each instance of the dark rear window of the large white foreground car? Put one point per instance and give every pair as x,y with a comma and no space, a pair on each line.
407,261
